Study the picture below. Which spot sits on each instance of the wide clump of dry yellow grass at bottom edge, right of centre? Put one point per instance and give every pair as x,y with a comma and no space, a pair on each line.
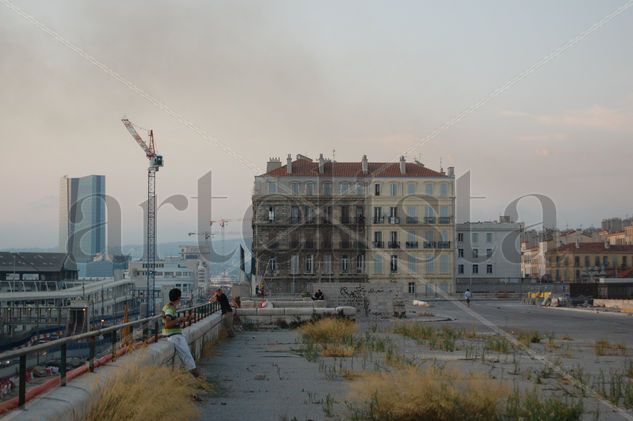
410,394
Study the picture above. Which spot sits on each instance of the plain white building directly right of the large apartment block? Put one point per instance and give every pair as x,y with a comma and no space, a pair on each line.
488,252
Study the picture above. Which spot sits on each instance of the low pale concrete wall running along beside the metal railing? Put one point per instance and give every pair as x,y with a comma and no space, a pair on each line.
72,402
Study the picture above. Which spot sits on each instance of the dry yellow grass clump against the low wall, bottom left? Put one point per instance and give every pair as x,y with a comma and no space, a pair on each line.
147,393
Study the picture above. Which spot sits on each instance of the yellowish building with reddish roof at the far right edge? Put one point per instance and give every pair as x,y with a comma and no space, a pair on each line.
585,262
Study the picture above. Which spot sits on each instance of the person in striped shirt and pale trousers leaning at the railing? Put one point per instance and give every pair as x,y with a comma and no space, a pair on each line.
173,330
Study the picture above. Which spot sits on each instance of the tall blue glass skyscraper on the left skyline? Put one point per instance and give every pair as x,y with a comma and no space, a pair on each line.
82,217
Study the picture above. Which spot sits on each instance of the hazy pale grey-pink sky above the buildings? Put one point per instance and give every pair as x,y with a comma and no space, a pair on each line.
259,79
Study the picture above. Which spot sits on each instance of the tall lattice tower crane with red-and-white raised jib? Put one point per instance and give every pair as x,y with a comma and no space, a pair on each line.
155,162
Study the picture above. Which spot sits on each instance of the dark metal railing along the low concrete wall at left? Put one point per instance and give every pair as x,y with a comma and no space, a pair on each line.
196,312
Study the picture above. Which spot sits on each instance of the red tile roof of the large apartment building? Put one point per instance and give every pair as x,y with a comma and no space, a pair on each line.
304,167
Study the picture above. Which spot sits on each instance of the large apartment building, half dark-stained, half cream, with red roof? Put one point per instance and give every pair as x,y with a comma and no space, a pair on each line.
327,221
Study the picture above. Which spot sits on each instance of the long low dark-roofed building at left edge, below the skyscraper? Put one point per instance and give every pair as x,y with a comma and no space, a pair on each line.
35,271
